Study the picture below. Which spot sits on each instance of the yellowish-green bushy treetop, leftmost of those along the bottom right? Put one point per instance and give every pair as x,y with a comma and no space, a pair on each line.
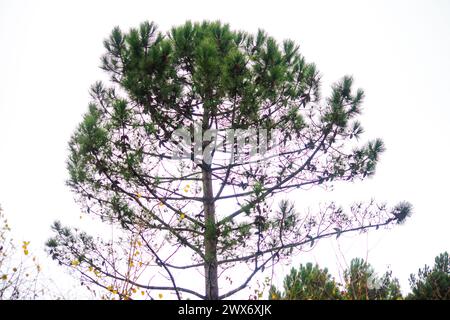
307,283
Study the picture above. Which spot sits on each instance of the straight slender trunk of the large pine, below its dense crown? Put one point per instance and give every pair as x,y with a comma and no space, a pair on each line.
210,238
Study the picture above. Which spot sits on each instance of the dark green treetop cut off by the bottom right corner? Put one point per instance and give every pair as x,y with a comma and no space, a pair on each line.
432,283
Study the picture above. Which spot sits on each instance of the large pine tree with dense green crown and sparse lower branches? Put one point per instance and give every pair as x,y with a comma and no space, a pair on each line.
213,209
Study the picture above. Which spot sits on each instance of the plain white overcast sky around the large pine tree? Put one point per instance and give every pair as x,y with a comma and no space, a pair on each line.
397,51
